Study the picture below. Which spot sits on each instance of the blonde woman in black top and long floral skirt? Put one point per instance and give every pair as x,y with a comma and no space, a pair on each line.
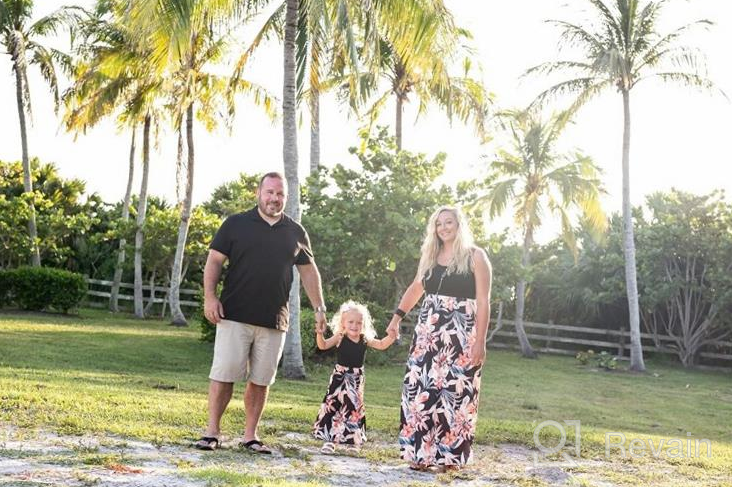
442,381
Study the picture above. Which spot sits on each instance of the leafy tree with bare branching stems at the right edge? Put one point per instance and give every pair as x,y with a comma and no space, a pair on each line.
685,265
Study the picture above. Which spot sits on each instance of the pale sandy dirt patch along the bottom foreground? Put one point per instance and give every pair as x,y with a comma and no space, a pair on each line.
41,458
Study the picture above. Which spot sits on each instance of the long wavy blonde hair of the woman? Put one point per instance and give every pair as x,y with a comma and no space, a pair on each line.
462,247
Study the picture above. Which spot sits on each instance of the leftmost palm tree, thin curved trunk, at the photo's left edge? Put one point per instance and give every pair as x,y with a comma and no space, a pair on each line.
19,38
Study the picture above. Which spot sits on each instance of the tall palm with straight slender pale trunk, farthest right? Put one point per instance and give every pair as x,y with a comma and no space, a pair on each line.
622,47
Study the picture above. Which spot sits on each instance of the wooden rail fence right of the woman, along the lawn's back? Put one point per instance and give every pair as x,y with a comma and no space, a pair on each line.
568,340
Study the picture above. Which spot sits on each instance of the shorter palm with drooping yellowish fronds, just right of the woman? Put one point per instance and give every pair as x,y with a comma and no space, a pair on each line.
532,177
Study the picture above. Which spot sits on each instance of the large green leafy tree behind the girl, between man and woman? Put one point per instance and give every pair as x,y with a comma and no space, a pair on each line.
367,224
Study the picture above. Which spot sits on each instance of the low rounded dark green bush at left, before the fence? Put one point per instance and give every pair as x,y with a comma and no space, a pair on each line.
44,288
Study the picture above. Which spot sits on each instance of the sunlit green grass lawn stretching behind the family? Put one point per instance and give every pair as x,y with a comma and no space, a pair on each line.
98,373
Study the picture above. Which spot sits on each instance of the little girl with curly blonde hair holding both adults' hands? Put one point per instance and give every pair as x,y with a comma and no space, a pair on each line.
342,417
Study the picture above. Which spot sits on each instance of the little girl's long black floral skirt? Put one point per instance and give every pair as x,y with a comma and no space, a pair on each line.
342,417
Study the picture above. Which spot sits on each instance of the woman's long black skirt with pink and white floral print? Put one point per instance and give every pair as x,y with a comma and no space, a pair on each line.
440,392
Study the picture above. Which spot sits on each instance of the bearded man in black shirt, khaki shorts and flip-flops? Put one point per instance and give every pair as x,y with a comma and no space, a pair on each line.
251,318
